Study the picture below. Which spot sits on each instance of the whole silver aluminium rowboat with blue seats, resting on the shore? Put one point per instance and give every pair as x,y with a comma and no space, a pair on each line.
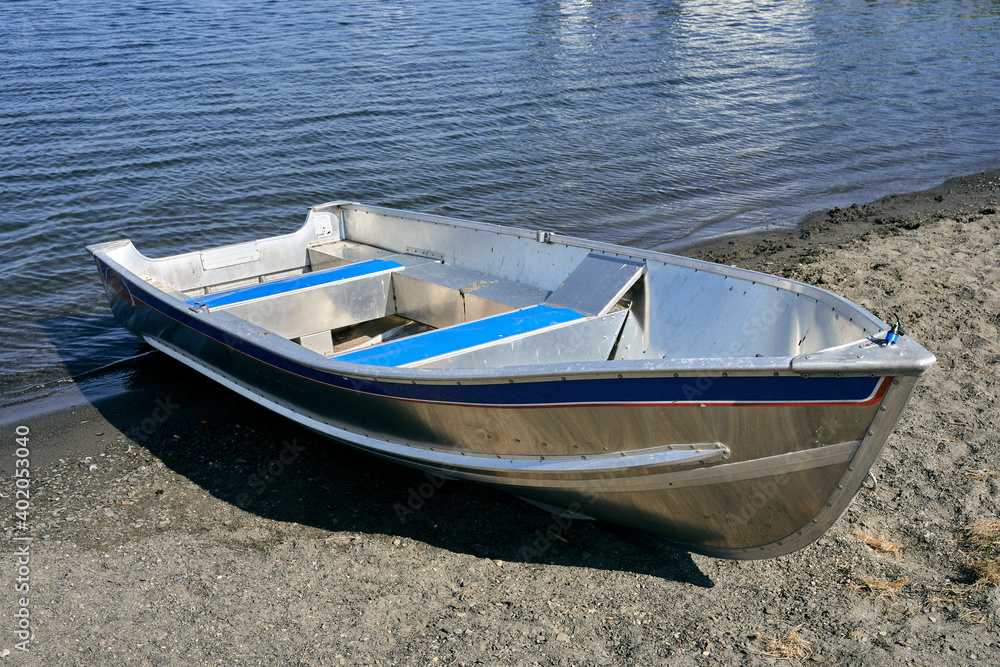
733,412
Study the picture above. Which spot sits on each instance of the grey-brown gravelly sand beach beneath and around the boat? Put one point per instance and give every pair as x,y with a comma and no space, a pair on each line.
178,524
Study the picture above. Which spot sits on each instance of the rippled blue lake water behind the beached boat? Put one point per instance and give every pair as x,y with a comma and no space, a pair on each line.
185,125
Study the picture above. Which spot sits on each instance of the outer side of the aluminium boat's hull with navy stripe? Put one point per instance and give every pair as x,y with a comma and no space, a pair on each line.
731,463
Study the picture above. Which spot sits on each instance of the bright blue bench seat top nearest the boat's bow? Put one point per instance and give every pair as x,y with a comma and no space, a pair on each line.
483,332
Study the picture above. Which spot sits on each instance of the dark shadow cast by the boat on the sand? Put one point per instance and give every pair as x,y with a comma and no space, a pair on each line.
269,466
